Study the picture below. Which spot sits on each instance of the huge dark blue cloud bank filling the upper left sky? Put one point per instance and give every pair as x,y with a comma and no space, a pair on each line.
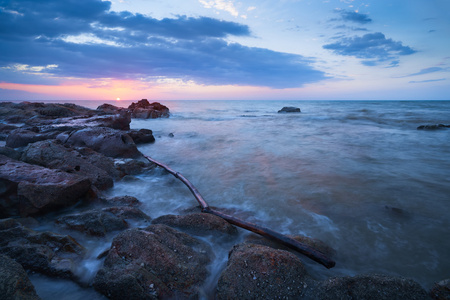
130,46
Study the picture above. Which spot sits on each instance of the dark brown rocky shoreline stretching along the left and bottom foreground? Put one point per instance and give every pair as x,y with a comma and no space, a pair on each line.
58,156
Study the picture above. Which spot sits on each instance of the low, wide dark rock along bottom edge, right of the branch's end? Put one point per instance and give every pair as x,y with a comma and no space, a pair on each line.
376,287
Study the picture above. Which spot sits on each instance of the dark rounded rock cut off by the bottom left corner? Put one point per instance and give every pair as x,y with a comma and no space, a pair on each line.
14,281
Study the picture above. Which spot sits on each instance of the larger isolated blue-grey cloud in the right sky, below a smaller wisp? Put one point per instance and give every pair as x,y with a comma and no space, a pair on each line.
374,48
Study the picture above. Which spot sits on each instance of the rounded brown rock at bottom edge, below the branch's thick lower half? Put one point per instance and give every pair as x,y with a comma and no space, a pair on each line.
260,272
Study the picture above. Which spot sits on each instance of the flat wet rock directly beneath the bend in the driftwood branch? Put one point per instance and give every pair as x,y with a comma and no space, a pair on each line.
198,224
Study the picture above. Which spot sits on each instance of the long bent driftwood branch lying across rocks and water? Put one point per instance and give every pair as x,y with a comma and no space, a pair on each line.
304,249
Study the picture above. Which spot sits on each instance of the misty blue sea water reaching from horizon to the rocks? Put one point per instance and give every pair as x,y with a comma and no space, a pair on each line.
357,175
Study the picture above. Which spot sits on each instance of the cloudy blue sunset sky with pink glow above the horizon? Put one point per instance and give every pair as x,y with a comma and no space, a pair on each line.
225,50
